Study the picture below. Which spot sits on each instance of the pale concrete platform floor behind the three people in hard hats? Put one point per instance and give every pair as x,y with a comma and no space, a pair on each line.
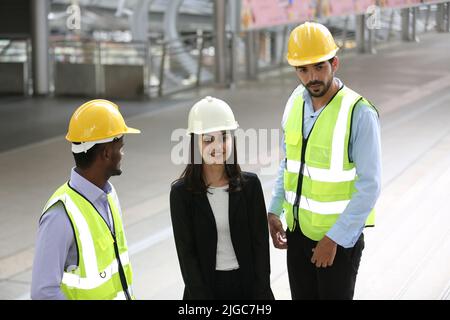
407,255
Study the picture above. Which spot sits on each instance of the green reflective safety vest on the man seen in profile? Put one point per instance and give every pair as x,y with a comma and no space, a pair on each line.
104,270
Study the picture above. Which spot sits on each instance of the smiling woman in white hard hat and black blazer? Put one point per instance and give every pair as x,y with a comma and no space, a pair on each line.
218,214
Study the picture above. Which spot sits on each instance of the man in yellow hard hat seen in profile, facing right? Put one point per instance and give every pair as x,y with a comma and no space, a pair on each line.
81,250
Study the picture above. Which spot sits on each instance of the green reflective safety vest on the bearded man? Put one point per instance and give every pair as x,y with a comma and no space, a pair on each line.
319,178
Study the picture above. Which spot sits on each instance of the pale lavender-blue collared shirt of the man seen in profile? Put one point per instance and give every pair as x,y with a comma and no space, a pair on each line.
55,249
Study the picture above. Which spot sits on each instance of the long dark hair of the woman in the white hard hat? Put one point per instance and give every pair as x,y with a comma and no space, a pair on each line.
192,175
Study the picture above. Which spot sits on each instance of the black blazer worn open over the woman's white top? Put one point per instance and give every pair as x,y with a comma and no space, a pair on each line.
195,235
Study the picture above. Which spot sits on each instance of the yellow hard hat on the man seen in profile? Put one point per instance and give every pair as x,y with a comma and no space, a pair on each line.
97,120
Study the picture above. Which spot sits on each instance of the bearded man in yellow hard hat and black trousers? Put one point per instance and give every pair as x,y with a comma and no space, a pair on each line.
329,181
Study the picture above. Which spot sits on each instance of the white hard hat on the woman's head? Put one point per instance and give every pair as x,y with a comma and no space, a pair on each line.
210,115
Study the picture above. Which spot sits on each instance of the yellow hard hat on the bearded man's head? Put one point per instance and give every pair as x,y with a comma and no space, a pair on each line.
309,43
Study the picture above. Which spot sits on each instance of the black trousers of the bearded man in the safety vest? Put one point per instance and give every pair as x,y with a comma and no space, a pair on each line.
309,282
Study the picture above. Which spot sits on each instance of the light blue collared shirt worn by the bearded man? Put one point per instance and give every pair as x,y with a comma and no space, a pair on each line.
365,152
